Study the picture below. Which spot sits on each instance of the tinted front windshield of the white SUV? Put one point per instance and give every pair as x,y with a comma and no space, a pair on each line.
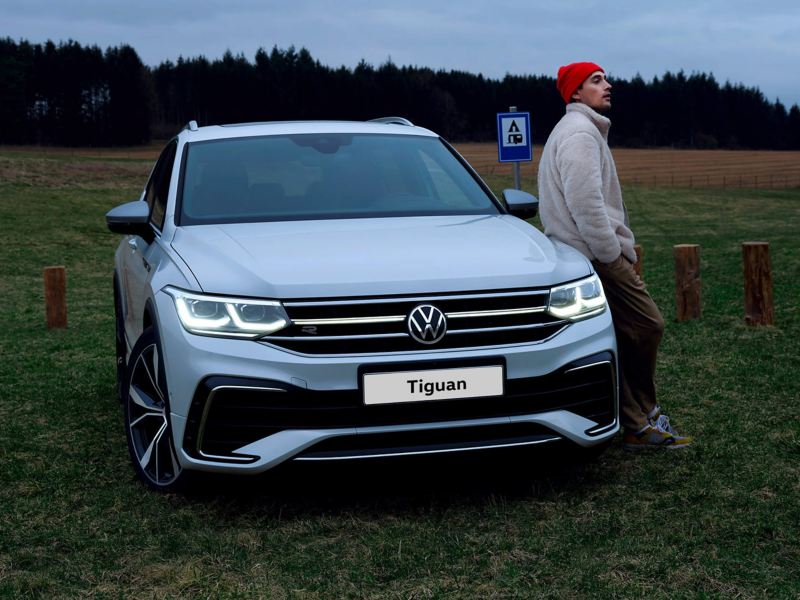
325,176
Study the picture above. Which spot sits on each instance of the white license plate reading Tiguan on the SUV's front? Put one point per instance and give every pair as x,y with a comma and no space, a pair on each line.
439,384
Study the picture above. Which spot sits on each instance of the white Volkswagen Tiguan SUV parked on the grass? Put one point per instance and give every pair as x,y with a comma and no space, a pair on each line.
339,290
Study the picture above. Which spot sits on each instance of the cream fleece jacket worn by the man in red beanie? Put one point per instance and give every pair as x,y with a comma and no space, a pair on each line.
580,201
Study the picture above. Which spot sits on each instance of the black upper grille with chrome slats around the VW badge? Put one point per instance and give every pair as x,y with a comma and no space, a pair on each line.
379,325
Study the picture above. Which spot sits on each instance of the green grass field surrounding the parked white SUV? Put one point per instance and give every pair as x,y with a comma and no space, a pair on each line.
720,519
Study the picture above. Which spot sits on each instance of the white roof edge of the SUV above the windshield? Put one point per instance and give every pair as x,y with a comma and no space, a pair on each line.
239,130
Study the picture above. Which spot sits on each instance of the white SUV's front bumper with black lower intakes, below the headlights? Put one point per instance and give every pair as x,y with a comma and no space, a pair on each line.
243,406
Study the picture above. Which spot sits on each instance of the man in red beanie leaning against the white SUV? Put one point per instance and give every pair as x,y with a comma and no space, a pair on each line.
580,204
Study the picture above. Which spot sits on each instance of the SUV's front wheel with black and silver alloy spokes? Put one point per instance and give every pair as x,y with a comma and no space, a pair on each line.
147,424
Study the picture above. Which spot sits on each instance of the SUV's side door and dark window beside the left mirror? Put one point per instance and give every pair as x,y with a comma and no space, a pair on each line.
144,254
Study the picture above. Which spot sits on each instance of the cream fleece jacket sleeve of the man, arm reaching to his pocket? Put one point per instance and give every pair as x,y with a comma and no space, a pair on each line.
580,165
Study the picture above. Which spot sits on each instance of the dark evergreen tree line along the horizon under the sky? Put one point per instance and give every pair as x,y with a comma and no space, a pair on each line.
74,95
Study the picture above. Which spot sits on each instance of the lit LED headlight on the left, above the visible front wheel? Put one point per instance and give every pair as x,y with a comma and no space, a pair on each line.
228,317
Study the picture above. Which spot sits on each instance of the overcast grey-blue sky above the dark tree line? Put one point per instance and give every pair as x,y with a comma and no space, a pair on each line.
755,43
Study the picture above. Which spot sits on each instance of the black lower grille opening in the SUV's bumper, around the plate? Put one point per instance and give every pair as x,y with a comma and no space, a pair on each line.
227,413
